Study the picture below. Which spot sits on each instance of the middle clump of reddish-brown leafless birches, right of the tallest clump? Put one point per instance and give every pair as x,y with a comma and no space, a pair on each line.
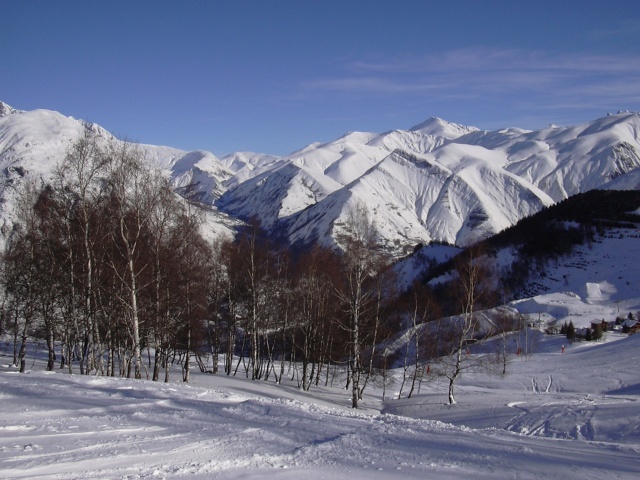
275,313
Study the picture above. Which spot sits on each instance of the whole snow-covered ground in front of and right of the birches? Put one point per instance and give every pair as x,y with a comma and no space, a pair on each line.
571,415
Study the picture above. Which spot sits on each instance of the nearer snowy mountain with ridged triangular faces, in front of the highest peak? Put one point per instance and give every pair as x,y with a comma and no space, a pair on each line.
415,199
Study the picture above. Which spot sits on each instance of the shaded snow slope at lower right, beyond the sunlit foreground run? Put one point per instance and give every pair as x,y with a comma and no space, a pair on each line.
587,395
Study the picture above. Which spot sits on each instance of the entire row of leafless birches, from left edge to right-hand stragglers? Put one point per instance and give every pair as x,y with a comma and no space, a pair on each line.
108,267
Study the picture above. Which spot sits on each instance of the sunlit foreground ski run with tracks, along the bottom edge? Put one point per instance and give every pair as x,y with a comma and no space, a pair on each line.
194,433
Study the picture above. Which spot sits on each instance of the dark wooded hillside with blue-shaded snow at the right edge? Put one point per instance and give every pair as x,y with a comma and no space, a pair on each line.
584,244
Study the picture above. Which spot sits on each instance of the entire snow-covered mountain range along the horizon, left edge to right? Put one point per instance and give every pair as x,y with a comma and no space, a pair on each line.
437,181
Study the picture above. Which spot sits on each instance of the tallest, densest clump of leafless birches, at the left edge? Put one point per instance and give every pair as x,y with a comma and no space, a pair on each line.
95,255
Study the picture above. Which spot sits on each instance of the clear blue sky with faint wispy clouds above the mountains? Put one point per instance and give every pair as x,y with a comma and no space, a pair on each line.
274,75
